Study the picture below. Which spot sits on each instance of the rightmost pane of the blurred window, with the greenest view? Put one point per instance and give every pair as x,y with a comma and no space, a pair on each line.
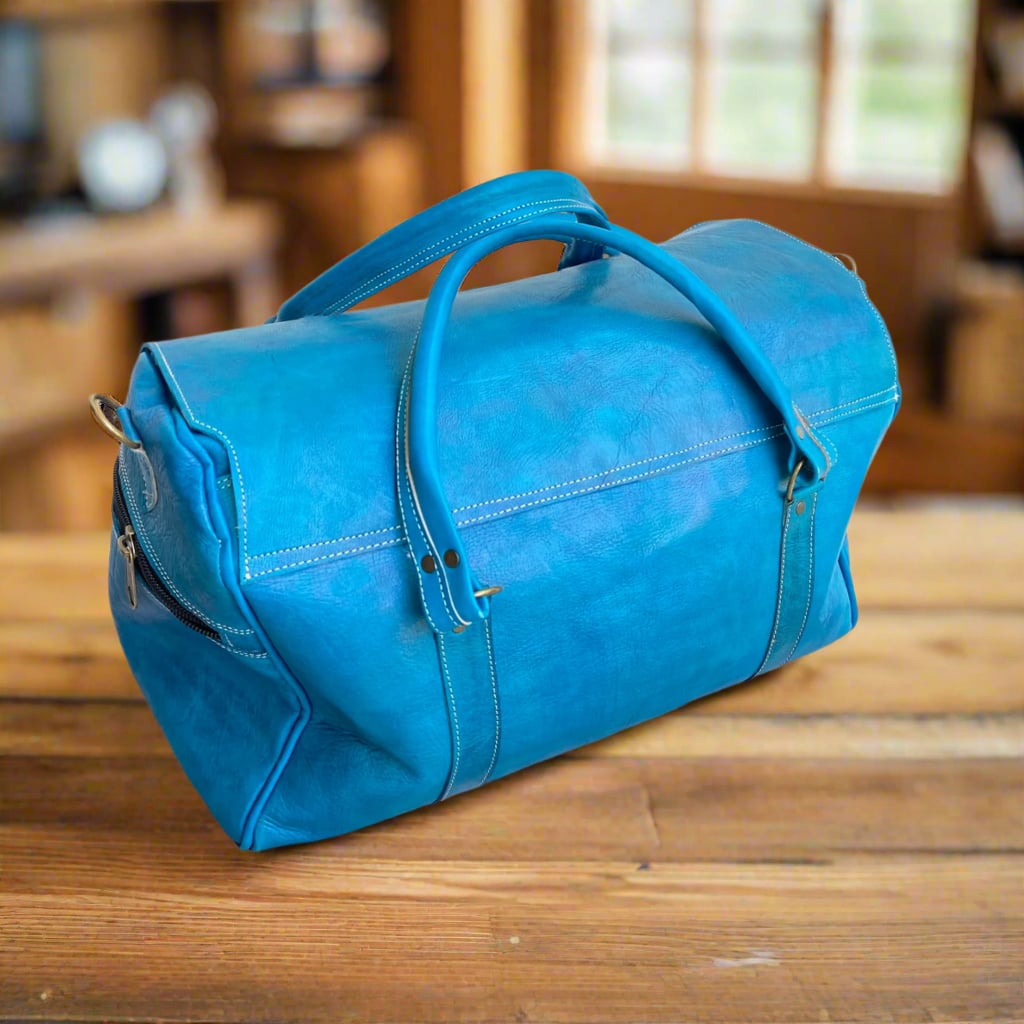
900,105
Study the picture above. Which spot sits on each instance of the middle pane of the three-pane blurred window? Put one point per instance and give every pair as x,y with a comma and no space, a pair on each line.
762,70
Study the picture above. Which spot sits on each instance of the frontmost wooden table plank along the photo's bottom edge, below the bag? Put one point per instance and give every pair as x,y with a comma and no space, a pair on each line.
911,940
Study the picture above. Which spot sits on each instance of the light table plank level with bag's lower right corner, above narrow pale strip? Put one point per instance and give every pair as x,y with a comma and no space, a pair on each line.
904,662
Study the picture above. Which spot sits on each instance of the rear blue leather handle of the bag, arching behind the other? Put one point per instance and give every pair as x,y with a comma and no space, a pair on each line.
444,229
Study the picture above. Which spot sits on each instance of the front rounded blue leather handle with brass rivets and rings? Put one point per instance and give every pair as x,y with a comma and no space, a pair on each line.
451,593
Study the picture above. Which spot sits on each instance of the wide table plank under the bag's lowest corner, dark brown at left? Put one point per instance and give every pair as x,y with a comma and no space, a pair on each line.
573,809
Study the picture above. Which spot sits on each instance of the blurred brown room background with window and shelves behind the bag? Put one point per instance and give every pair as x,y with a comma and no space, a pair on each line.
178,167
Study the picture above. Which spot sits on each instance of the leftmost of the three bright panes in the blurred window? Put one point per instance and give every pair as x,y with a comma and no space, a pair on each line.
638,88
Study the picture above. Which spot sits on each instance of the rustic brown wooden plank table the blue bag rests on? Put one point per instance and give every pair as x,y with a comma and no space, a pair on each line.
841,842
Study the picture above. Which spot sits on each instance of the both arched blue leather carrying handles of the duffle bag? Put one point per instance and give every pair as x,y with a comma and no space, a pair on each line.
453,598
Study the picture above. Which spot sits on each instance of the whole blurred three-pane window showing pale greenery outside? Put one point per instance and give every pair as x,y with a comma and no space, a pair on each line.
862,94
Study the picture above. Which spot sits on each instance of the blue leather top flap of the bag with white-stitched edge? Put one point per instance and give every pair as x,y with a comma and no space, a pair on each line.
550,388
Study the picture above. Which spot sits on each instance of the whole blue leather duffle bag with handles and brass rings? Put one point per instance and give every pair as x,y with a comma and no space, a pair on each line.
367,560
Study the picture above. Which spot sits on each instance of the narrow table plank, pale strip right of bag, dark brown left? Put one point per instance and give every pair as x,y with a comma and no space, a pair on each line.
129,731
